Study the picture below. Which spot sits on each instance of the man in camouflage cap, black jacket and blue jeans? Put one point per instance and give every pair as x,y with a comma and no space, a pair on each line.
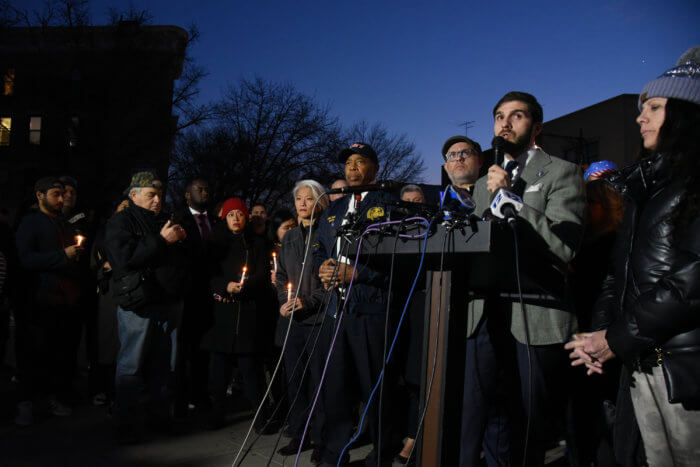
149,269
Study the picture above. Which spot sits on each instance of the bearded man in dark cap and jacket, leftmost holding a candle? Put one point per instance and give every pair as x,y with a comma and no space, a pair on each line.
48,254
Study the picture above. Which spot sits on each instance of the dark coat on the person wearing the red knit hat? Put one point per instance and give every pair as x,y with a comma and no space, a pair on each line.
242,325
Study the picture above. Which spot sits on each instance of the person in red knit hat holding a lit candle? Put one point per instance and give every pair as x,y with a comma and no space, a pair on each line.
239,331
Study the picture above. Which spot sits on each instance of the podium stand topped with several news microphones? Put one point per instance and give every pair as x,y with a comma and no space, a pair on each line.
477,261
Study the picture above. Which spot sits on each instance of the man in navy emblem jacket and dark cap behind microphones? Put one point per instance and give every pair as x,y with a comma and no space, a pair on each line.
357,354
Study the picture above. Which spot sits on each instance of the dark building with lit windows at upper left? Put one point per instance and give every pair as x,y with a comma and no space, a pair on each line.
94,103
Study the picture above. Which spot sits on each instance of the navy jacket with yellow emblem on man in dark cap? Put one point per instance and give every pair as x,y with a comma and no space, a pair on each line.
369,290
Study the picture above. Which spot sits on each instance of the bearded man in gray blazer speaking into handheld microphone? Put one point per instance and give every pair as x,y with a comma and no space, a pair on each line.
515,360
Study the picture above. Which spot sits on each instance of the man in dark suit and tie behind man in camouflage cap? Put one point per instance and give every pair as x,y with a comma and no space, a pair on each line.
192,374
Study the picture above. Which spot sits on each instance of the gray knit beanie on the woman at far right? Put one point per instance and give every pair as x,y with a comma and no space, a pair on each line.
681,82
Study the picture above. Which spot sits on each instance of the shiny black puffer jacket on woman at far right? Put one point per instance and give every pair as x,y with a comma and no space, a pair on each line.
652,299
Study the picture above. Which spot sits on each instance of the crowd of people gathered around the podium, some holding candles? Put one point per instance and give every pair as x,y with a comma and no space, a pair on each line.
178,308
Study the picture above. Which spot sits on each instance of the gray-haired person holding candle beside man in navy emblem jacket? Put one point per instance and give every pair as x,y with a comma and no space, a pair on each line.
306,314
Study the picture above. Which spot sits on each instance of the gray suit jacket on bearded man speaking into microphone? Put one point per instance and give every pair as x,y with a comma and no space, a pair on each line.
553,206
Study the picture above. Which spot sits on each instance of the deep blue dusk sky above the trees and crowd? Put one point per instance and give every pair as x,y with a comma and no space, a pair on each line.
423,68
